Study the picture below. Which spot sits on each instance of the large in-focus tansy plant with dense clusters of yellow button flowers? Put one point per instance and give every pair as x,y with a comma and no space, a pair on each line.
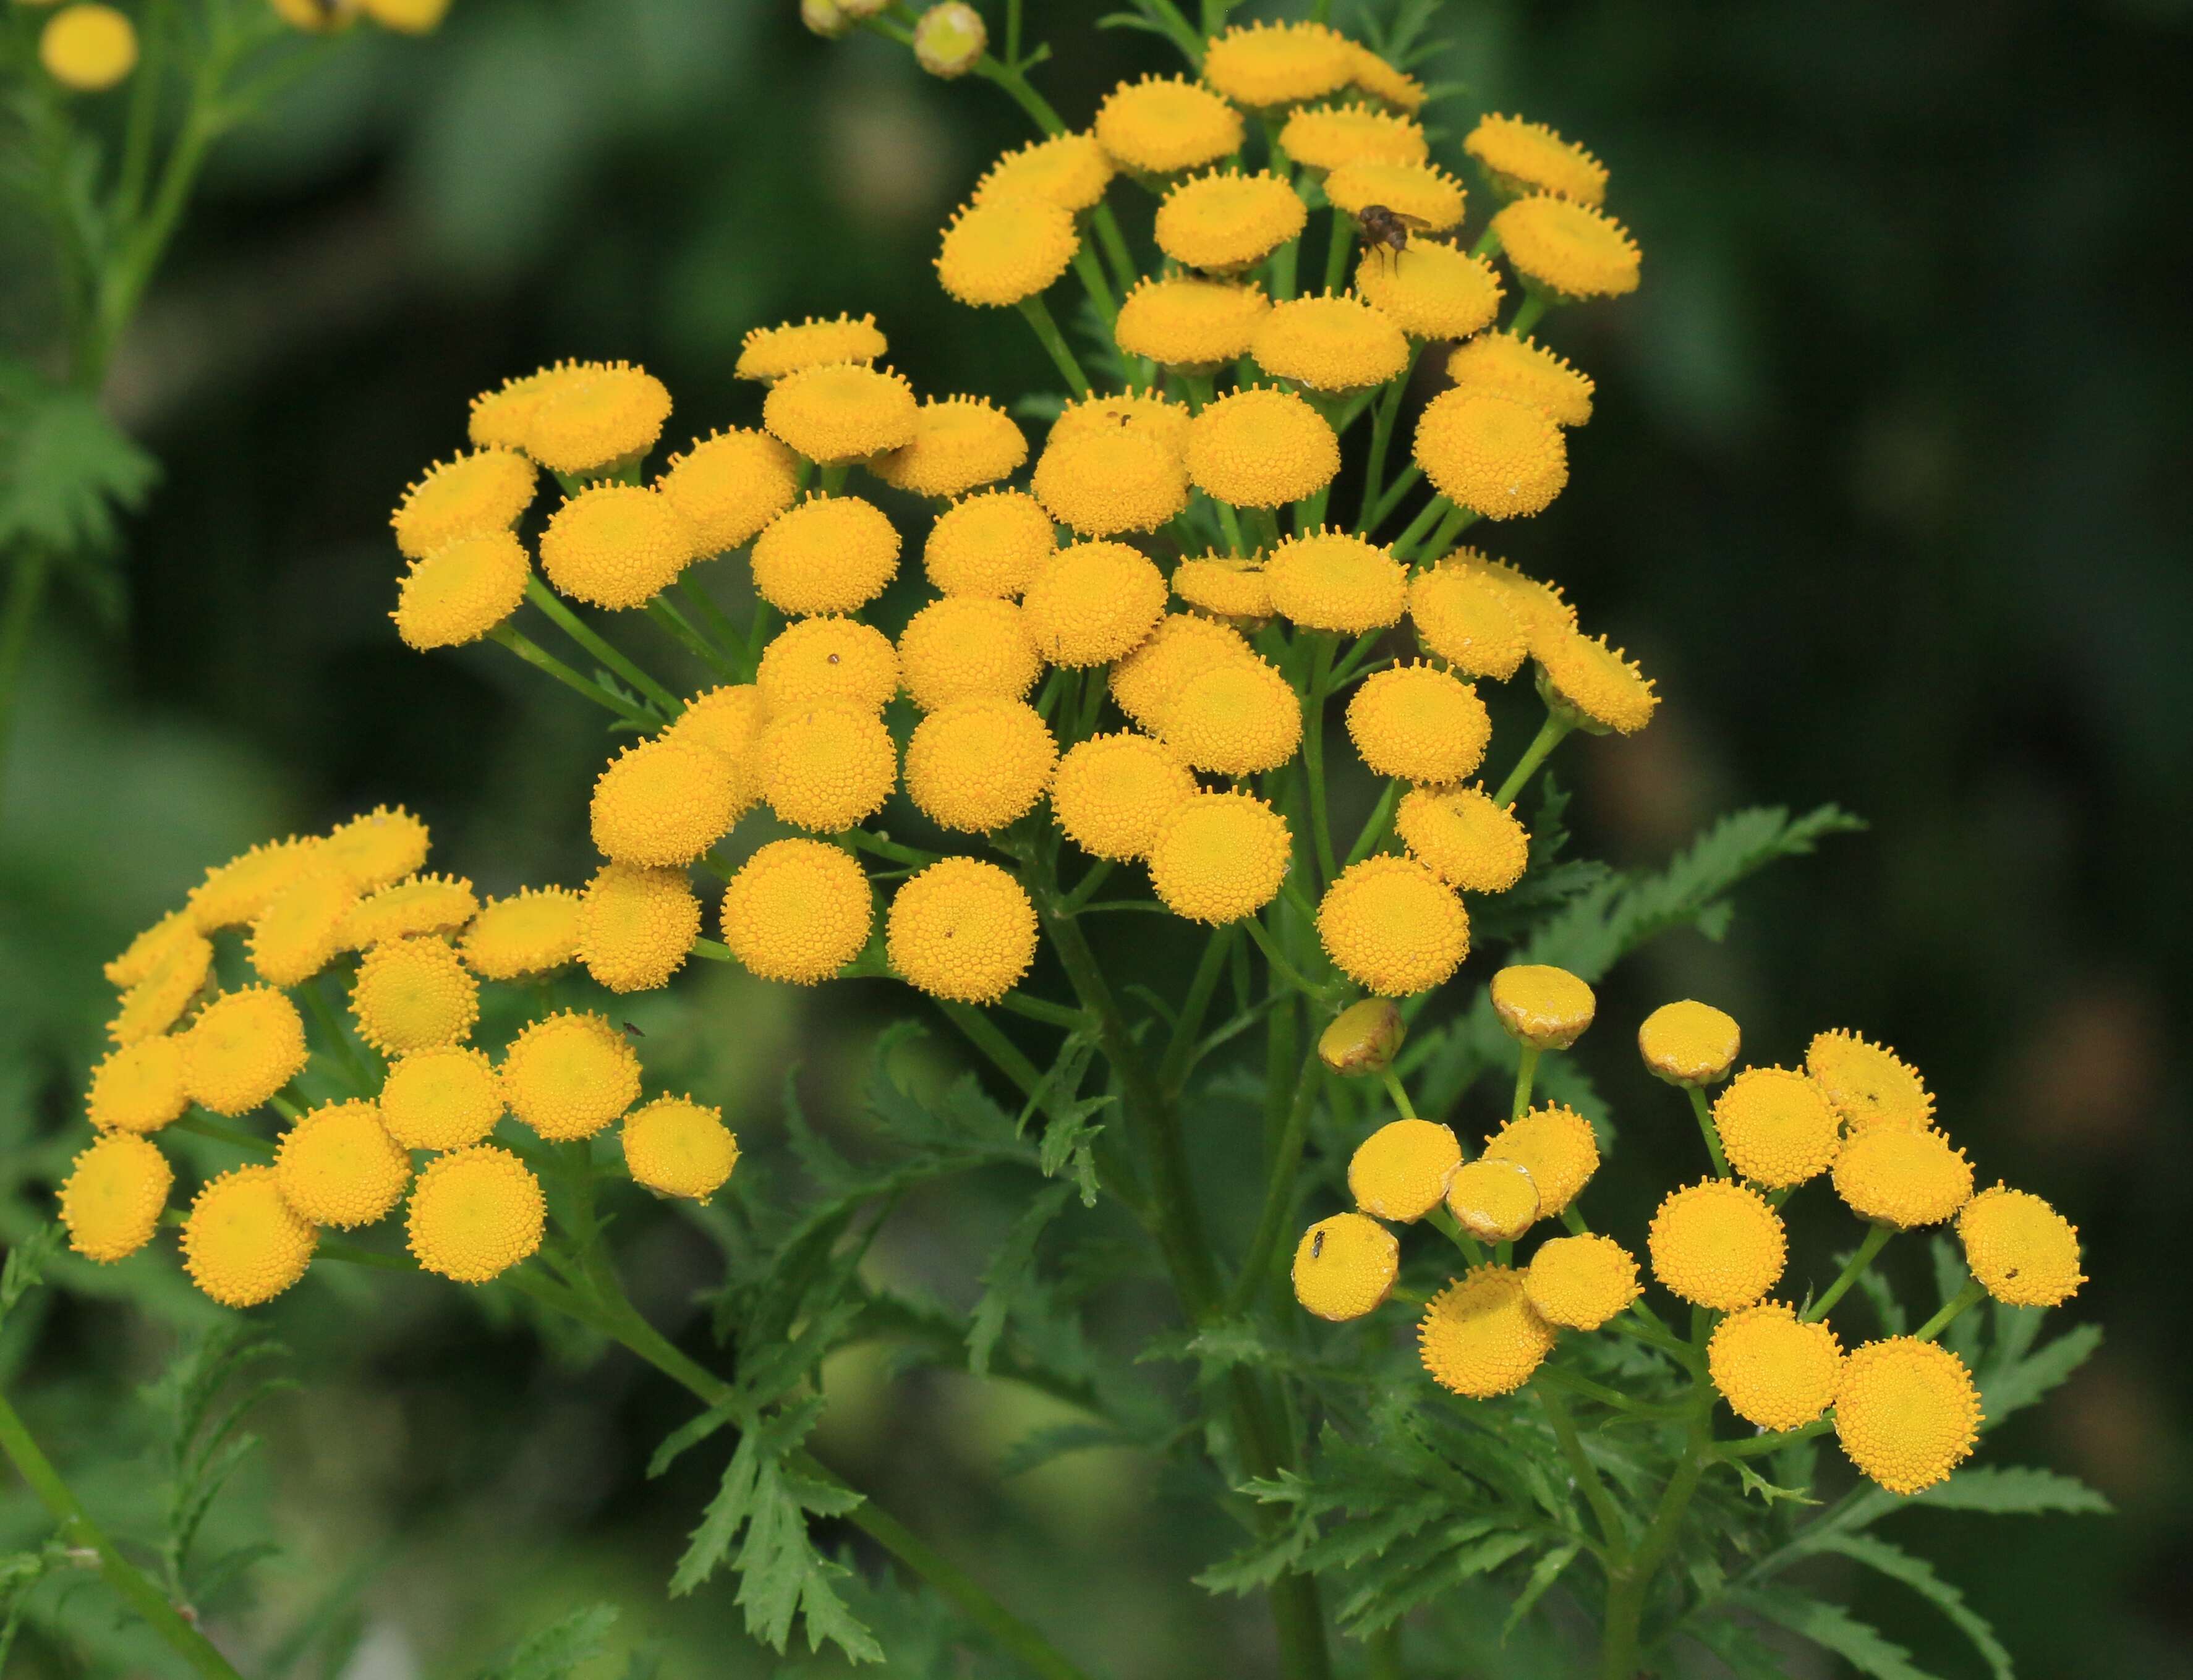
1223,609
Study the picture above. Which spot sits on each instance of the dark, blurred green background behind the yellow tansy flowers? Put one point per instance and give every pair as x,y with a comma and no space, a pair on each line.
1887,488
